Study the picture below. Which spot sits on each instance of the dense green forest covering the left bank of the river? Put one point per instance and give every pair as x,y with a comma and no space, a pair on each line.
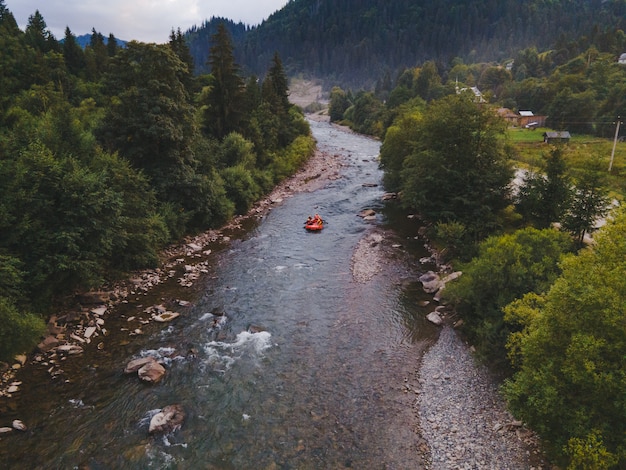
109,154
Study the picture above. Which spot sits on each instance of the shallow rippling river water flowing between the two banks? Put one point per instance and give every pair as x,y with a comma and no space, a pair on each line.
285,361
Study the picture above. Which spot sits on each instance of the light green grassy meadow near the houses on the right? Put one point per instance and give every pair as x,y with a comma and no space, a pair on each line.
530,148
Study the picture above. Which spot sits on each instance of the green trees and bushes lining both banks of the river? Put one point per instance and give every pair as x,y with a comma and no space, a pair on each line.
109,154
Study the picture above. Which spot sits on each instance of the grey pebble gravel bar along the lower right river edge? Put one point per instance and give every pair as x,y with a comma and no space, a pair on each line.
462,416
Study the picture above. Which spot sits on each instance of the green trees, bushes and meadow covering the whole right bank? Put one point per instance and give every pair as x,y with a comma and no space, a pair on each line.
541,301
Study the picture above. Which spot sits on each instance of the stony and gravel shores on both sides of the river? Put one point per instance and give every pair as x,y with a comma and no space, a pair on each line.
462,418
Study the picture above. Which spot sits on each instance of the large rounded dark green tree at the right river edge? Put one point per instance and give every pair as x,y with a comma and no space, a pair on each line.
458,169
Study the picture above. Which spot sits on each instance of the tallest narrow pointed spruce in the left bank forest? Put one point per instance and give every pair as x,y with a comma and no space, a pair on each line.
225,97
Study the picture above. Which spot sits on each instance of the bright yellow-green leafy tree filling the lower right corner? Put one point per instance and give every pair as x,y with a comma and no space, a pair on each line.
571,381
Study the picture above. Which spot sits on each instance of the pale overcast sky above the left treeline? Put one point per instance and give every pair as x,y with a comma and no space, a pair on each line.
143,20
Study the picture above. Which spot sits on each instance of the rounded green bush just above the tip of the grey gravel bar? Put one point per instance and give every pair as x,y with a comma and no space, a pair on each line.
506,268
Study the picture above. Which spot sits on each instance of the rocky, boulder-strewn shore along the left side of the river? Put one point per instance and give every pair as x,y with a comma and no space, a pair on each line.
82,323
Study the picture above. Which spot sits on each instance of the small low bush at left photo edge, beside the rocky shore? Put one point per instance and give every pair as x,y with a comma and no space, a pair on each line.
19,331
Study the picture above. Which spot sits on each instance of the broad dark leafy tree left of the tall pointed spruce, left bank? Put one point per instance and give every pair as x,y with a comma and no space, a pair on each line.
150,120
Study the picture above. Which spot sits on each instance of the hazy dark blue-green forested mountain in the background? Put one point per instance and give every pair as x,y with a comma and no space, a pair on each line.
354,42
